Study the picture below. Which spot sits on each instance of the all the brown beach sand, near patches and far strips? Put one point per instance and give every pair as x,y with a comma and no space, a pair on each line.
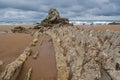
44,67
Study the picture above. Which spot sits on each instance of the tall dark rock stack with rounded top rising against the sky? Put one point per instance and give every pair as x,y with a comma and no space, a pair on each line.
52,20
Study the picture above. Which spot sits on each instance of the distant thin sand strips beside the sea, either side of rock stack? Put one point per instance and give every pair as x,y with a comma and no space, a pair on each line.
6,28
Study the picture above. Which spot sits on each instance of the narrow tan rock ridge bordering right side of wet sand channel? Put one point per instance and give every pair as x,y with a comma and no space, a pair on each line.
61,63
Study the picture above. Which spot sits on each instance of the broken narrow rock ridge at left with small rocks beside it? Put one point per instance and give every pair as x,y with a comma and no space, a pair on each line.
13,69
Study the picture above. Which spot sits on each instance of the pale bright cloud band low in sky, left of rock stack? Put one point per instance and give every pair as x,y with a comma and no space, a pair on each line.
18,14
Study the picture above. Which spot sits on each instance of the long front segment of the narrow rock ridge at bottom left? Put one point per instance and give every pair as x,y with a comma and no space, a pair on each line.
12,70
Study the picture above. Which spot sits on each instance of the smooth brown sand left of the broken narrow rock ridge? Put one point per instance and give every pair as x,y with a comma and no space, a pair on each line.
11,46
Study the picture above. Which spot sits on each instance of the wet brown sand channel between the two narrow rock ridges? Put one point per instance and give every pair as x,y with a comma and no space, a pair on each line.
44,67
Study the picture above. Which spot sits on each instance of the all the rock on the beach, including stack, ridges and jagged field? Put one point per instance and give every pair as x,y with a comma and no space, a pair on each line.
81,54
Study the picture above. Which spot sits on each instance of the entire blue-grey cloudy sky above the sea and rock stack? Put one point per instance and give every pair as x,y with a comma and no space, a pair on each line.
73,9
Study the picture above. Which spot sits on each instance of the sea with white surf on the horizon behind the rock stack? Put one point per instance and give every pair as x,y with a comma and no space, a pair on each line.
75,22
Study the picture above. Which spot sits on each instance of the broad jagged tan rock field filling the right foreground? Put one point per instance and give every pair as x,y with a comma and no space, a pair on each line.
83,54
